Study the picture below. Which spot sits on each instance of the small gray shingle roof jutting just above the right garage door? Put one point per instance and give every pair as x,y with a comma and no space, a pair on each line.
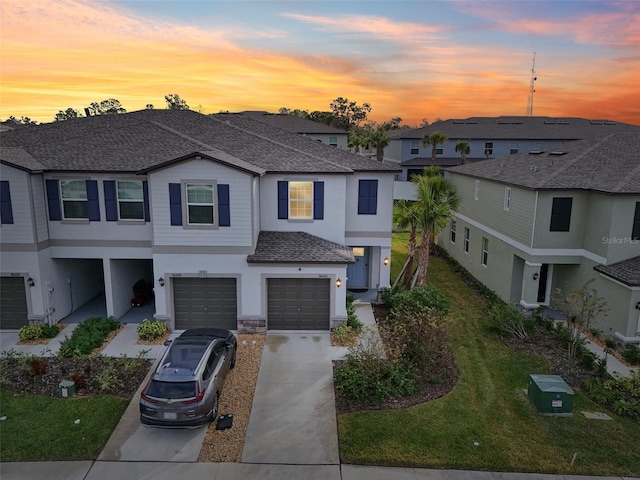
298,247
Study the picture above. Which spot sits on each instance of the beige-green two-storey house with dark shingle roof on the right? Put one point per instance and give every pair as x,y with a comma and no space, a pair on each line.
555,218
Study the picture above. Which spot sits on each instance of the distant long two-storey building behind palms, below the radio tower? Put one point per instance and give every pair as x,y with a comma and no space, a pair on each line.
490,137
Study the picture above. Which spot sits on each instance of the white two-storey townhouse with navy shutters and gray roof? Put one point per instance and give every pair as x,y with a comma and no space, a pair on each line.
234,223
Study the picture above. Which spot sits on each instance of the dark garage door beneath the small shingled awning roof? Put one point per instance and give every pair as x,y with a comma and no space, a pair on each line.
298,303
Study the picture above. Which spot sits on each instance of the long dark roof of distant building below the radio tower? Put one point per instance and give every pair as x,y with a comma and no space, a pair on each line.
517,128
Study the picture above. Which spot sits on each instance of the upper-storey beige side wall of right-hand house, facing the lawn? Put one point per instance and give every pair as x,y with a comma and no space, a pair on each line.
489,208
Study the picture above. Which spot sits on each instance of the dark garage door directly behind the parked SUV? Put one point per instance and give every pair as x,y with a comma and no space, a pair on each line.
205,302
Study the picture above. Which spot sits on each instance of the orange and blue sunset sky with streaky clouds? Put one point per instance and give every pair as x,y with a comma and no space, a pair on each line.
413,59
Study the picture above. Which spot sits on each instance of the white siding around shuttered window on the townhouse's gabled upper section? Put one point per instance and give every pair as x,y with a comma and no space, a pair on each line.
240,192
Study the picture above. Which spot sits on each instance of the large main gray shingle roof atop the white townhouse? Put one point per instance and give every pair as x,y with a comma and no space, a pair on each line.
147,139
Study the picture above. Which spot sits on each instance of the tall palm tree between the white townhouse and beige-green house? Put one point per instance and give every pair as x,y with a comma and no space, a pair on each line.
437,203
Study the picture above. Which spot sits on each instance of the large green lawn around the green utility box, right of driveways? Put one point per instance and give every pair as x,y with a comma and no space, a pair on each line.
486,421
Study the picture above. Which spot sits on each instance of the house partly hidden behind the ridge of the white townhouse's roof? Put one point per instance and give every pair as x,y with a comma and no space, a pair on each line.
332,136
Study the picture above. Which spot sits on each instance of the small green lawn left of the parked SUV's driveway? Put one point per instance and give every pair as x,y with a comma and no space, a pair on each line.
40,428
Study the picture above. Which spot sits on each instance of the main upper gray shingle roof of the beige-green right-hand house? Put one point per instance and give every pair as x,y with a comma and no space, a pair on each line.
608,164
